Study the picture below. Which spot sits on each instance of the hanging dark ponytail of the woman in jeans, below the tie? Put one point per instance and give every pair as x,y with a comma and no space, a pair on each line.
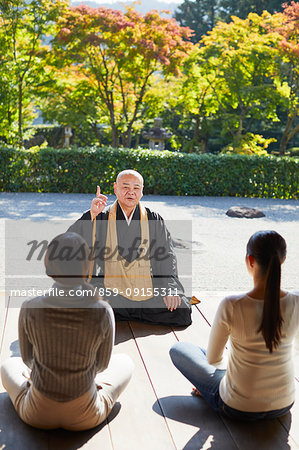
272,319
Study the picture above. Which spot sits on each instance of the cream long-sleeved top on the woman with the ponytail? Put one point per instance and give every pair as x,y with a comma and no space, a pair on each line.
255,380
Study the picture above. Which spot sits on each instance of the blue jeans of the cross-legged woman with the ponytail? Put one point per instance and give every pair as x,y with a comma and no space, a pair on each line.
192,362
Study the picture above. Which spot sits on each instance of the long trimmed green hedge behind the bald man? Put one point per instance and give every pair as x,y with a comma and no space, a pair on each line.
167,173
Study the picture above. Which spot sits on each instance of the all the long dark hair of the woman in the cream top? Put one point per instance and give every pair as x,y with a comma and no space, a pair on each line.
269,250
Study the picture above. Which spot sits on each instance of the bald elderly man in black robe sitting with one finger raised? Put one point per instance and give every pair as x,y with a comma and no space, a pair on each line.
133,262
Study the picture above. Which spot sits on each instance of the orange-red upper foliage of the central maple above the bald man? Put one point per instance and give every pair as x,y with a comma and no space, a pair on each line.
154,38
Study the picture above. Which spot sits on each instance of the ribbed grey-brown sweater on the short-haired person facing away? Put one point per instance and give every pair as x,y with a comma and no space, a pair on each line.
65,340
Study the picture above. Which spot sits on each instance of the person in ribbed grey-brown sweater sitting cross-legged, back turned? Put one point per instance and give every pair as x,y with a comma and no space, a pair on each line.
66,341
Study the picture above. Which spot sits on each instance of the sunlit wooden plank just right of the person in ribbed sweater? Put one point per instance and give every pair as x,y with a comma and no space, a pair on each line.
137,426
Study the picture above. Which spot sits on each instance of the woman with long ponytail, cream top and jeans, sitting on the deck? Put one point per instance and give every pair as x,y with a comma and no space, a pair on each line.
258,382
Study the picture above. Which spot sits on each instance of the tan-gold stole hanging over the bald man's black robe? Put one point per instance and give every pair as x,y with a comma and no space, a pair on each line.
130,279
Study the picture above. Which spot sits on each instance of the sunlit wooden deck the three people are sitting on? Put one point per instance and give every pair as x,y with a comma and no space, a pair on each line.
156,411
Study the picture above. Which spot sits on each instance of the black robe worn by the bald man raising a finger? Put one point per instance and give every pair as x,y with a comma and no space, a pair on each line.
162,261
